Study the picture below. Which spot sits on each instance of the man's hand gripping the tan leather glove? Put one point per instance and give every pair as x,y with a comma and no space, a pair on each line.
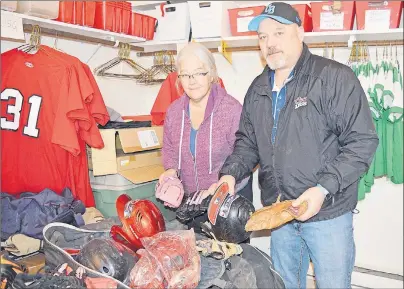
315,198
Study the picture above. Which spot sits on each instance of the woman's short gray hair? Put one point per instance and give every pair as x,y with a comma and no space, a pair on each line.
204,55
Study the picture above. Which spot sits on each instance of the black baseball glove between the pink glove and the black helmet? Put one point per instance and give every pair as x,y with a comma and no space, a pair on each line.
188,211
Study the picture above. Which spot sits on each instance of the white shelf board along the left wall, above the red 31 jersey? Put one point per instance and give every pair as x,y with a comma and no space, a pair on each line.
52,26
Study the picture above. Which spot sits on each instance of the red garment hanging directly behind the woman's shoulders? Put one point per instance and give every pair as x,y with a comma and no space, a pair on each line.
168,94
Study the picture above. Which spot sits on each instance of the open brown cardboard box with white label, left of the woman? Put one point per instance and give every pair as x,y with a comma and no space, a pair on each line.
134,153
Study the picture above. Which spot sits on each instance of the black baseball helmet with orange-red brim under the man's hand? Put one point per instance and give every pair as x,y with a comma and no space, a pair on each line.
228,215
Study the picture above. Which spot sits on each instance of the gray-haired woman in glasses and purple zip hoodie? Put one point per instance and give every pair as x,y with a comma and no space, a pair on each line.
200,127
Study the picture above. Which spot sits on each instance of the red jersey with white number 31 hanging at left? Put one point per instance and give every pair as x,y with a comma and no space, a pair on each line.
45,121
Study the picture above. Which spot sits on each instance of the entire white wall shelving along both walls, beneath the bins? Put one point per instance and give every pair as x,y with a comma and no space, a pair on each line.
80,33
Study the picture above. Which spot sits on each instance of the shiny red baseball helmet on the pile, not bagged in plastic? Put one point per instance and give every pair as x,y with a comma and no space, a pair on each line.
139,218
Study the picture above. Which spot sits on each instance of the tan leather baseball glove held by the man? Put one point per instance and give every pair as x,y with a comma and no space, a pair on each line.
274,216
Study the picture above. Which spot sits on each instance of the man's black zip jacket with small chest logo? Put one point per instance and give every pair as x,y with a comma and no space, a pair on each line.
325,136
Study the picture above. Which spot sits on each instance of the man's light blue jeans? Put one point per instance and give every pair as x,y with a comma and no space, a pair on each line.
329,244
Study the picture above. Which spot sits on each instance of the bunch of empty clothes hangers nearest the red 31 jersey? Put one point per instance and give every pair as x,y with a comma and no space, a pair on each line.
123,57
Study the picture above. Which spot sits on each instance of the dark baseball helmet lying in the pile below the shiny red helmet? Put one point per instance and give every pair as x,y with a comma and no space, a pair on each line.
107,257
